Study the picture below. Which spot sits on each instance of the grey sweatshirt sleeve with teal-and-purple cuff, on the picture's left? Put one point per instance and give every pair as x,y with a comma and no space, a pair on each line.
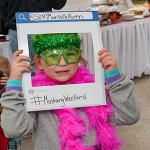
15,121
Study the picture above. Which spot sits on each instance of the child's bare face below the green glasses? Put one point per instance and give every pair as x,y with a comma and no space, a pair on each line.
61,72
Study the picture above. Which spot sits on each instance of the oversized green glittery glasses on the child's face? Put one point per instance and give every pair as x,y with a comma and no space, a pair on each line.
53,57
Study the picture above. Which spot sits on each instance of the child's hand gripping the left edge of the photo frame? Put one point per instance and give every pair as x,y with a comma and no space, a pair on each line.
19,65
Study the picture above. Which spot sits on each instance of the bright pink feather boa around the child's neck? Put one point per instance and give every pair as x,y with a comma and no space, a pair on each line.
72,128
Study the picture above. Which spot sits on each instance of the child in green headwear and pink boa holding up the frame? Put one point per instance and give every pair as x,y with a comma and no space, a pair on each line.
90,128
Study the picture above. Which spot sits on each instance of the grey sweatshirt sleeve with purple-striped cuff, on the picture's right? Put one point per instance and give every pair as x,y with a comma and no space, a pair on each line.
121,92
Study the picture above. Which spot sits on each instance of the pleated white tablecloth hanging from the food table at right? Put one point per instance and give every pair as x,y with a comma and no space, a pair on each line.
130,43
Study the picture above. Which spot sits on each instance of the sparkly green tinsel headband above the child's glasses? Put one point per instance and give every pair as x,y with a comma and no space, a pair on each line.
49,42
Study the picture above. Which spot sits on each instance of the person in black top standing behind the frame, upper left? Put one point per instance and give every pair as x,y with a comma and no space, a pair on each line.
8,8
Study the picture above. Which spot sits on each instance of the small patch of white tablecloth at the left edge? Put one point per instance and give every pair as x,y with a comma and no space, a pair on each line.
4,50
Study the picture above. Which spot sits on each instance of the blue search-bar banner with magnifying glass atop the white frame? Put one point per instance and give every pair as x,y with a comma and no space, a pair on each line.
62,16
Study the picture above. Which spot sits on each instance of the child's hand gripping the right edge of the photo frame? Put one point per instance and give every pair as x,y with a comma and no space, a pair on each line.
107,60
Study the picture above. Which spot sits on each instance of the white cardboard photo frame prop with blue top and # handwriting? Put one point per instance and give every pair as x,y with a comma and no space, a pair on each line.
61,96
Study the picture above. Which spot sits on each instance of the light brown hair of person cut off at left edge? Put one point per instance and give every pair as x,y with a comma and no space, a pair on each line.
4,65
